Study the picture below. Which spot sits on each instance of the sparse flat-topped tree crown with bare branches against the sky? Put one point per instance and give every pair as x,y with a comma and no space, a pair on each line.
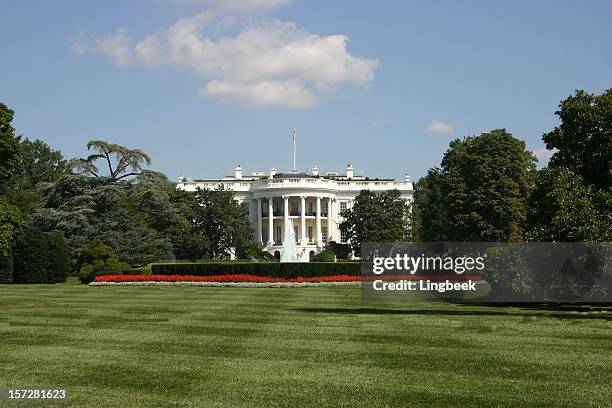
120,161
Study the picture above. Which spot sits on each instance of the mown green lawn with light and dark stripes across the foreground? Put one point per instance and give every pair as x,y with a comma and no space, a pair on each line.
232,347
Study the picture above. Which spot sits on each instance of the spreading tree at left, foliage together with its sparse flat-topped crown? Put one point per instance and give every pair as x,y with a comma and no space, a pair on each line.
132,215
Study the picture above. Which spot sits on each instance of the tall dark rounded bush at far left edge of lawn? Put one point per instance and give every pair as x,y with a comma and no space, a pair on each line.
40,257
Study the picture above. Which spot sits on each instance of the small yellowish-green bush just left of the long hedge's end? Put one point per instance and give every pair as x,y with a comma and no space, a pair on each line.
99,259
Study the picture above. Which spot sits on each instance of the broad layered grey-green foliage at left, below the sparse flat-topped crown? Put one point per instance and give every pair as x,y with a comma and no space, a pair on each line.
132,217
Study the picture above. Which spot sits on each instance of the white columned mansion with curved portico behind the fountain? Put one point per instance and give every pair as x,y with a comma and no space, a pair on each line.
312,201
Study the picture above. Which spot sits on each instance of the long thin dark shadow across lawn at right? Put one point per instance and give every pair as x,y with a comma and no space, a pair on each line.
579,312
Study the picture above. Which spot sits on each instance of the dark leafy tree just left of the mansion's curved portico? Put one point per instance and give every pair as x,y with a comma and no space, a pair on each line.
223,223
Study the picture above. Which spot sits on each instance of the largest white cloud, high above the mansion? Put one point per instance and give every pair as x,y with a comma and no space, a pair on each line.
271,56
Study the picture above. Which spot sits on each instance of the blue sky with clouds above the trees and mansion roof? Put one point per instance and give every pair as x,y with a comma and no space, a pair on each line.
202,85
